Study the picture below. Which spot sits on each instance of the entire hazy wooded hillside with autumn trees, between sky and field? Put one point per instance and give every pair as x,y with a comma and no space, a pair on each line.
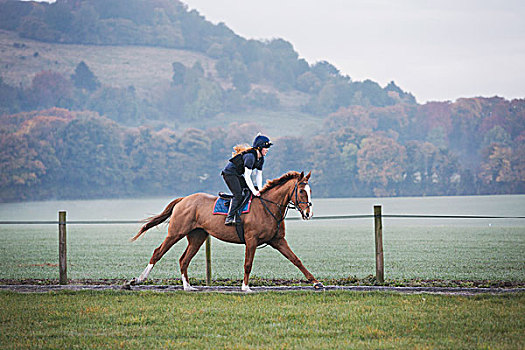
132,97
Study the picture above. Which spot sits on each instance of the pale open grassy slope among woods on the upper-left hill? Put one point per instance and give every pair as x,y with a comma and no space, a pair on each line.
148,69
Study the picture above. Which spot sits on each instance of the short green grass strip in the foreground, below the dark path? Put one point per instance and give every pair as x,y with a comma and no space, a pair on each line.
101,320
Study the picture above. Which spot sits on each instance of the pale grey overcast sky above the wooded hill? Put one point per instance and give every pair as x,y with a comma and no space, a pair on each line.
437,50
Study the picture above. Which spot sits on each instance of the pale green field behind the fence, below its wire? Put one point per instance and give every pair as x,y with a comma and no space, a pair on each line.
329,249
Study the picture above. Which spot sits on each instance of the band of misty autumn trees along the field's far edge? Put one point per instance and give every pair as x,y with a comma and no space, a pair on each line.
472,146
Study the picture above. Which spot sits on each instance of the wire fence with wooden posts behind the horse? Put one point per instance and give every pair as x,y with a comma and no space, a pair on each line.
378,235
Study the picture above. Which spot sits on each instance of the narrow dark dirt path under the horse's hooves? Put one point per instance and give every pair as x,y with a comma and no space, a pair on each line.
31,288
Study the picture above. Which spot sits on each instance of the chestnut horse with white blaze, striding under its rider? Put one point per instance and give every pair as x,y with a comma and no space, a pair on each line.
191,217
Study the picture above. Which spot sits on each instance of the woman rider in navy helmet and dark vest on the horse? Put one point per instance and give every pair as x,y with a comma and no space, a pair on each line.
237,173
